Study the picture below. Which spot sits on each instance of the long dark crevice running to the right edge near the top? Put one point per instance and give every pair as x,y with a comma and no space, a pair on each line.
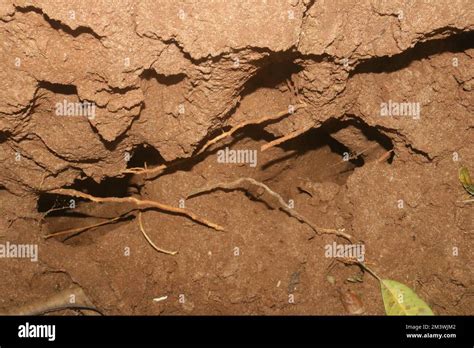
455,43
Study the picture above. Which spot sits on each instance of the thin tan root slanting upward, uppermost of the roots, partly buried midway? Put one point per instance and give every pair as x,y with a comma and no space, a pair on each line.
215,140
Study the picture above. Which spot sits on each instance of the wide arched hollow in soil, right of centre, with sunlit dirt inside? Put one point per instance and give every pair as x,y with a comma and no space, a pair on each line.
319,155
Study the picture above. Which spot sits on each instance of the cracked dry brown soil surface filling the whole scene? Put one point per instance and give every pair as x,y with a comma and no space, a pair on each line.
357,116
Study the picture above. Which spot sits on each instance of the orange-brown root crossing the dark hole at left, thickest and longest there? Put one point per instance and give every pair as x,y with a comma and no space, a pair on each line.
139,203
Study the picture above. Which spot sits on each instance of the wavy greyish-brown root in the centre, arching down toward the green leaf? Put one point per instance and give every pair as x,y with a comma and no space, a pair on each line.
238,185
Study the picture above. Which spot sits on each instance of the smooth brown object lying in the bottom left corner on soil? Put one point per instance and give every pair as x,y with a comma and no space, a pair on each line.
73,298
